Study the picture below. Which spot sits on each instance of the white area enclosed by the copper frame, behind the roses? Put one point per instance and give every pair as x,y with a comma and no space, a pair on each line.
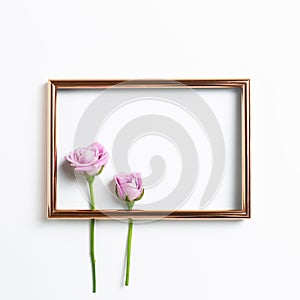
155,154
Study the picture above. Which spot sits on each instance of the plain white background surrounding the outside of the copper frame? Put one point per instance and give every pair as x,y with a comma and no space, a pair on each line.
253,259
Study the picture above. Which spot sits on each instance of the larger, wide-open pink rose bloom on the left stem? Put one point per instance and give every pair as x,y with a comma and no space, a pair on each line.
89,160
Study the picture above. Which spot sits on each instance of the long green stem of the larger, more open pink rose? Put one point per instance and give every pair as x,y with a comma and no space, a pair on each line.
90,180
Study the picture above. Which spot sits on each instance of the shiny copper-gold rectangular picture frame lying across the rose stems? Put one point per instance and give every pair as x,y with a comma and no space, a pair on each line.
243,85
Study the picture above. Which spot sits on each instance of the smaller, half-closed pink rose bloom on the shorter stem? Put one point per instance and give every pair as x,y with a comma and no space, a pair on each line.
129,186
